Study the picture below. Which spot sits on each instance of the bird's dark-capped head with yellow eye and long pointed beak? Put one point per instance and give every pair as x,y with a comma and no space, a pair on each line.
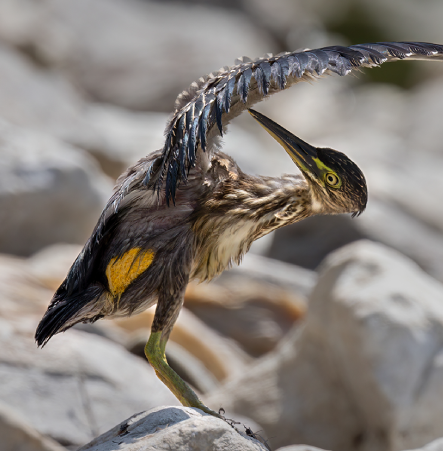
337,183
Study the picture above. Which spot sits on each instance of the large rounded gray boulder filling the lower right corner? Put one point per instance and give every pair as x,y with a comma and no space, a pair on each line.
365,372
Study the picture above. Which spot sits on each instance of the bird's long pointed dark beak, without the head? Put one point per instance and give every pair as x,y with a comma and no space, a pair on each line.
303,154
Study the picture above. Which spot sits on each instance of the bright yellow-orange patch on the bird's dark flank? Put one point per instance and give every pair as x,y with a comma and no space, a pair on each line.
121,271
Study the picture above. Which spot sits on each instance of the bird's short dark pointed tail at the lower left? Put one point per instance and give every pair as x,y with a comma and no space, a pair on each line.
67,309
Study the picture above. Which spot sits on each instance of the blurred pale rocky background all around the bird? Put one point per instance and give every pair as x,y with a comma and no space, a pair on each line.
348,357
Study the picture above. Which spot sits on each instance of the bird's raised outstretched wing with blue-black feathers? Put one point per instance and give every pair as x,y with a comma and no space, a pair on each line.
210,104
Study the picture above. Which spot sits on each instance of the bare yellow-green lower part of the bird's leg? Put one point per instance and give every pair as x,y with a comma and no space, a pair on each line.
155,353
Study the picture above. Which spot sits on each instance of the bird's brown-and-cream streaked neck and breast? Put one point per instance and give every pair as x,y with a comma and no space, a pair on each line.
241,211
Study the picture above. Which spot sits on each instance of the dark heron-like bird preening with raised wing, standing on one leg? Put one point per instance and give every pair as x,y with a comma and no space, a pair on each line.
187,211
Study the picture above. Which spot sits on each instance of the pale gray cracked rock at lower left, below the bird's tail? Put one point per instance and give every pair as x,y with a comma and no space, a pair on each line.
78,386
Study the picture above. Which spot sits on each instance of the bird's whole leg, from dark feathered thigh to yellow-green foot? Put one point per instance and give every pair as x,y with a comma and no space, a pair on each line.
165,316
